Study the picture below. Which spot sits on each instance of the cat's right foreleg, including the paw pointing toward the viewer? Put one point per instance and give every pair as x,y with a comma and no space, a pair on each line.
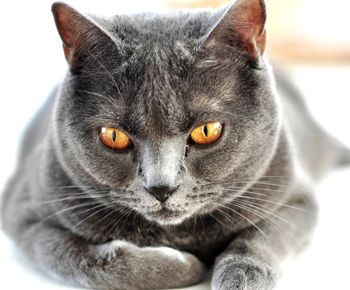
253,260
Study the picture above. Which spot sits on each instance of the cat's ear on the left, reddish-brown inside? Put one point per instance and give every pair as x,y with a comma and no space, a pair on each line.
76,31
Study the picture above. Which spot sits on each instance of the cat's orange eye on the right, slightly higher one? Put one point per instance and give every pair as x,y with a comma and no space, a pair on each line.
207,133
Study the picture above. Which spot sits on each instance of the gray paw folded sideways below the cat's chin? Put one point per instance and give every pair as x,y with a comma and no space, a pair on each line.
150,267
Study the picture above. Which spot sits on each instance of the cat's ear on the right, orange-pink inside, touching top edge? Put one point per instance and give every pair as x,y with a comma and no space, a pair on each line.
244,22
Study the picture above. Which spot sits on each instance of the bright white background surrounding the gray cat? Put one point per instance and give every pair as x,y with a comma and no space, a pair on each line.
32,63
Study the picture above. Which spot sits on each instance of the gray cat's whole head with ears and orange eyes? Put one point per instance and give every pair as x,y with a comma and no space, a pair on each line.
166,112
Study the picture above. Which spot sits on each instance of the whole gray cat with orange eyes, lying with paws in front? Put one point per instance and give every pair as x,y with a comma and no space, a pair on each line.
170,148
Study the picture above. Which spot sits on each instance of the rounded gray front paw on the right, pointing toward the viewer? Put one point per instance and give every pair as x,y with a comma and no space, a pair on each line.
237,273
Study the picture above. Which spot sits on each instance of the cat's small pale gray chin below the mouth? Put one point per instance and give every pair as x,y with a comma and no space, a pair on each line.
167,216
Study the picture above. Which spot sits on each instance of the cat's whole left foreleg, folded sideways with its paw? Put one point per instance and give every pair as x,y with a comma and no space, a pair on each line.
115,265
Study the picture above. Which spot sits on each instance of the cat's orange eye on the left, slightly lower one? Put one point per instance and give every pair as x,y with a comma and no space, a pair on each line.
114,138
